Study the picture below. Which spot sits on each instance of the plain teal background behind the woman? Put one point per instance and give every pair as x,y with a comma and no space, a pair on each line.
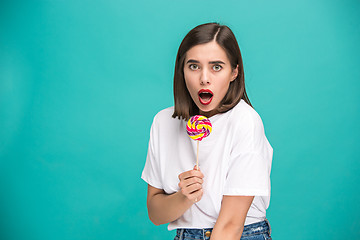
80,82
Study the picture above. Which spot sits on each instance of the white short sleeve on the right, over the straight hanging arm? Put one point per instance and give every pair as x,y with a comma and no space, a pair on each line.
250,160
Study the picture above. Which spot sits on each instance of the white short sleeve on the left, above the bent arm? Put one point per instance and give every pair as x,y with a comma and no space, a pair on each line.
151,172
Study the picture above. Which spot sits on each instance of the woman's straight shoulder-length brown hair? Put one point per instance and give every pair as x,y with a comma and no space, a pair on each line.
184,105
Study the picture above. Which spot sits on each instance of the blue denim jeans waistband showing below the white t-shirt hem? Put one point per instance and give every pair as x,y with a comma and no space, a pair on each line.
262,227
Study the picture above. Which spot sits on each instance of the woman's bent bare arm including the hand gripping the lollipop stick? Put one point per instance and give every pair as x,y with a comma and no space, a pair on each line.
164,208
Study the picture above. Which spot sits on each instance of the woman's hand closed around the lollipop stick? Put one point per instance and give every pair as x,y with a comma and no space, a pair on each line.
191,184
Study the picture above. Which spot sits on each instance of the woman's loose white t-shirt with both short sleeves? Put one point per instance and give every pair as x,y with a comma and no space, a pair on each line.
235,160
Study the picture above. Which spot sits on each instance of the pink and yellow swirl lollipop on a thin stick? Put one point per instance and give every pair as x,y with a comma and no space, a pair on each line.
198,127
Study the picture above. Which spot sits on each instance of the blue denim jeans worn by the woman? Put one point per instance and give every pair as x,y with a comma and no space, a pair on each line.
255,231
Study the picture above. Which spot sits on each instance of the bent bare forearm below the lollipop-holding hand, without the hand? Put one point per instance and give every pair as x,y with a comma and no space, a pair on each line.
164,208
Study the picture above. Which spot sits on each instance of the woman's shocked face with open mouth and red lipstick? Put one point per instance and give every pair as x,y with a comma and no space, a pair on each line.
208,74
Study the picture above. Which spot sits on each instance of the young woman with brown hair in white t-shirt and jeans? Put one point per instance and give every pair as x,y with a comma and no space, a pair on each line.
228,196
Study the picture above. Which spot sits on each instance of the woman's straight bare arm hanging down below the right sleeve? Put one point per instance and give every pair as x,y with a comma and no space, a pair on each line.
230,223
